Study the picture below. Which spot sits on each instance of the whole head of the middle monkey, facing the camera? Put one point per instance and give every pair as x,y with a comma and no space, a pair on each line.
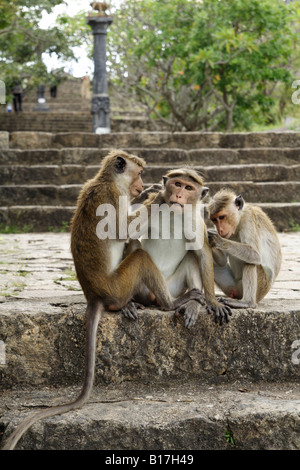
183,186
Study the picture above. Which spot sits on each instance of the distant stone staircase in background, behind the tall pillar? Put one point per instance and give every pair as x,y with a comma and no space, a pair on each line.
70,112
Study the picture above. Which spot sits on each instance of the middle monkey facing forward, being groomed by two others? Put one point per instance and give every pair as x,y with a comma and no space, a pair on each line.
181,267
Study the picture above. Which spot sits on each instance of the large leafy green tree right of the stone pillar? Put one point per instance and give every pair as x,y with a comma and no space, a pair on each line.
205,65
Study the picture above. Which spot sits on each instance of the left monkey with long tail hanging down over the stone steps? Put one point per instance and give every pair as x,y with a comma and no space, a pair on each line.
108,281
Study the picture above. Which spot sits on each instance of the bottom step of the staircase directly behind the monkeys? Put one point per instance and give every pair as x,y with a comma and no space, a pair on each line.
285,216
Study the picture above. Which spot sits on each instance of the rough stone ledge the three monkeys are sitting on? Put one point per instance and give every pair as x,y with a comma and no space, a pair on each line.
44,343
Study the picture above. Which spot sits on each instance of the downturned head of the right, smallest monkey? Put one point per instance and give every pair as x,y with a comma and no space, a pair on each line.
225,210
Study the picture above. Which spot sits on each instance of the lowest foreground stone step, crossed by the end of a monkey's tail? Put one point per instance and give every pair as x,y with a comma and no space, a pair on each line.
167,419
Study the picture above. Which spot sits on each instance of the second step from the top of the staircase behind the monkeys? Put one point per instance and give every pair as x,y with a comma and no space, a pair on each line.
156,156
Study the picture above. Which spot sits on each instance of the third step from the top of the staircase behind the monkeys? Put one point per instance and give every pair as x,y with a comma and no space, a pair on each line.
75,174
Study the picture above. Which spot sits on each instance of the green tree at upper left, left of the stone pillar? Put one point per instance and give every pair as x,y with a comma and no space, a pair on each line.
23,42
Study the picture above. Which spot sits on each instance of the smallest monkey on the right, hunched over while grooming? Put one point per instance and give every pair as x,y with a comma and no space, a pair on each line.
246,249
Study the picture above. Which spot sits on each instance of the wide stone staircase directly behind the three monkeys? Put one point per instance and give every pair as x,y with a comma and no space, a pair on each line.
41,173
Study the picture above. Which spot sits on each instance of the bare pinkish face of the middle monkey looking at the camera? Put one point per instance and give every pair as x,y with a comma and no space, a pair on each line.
180,191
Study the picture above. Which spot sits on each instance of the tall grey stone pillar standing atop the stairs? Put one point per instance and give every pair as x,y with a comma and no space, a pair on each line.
100,100
